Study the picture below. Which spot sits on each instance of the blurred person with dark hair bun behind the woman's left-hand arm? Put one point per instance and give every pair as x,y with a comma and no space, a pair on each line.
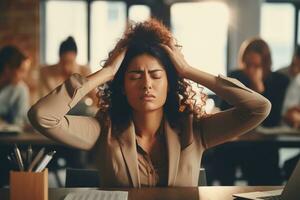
54,75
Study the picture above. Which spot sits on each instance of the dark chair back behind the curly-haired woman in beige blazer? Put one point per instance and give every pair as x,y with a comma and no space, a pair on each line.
90,178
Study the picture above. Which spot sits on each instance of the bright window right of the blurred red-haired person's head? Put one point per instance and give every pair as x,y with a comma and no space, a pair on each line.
277,28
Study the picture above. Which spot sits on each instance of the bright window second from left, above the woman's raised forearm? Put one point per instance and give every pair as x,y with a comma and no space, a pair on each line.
108,22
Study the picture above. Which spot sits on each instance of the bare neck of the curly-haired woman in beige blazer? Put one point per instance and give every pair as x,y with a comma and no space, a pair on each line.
147,124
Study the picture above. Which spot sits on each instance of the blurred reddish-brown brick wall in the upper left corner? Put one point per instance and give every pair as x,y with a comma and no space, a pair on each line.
19,25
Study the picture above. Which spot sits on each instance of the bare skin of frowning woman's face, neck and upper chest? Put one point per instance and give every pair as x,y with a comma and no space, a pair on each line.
146,87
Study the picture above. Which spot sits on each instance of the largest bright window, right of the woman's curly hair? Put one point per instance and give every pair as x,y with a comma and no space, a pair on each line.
204,38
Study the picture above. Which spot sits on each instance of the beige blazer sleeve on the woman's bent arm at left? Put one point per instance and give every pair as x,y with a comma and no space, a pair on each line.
49,115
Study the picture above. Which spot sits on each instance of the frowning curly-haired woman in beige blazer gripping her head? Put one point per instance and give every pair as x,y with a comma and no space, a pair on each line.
147,132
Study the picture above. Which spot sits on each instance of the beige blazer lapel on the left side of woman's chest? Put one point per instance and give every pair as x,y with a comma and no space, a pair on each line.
127,142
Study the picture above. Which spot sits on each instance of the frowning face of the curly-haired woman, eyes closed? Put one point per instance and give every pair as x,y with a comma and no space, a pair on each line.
145,84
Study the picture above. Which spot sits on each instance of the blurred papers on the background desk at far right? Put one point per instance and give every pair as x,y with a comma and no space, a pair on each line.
278,130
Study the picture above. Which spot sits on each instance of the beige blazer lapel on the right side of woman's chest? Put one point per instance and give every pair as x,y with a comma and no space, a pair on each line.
173,145
